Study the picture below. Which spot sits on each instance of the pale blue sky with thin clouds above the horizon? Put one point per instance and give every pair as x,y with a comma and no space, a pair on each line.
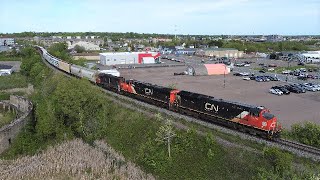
194,17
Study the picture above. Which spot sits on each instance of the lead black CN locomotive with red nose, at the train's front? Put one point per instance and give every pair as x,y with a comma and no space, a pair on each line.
228,113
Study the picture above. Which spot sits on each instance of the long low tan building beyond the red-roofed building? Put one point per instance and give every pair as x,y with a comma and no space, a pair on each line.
220,52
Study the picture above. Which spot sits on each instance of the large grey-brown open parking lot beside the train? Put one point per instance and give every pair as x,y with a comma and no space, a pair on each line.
289,109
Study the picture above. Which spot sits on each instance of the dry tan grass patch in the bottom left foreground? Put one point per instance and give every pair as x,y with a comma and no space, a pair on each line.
73,160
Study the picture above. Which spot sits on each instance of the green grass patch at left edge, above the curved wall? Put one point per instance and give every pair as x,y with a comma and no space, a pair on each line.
15,80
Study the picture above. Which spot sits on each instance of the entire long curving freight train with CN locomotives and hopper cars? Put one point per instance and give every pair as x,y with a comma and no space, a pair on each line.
256,120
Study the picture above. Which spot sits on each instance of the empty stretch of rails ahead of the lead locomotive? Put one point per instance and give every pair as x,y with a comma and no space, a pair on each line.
299,146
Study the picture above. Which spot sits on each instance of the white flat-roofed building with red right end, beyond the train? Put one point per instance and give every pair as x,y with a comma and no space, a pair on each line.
129,58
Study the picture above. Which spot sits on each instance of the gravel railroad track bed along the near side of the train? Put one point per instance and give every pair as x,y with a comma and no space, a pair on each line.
294,147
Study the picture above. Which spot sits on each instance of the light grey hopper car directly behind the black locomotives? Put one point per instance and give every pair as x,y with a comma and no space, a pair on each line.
83,72
